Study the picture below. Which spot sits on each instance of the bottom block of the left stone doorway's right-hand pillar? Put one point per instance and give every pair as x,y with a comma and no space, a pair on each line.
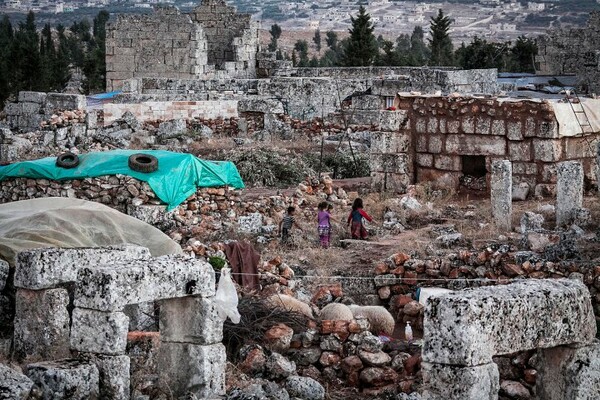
193,369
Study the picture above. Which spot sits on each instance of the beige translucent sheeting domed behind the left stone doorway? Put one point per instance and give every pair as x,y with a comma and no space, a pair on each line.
71,223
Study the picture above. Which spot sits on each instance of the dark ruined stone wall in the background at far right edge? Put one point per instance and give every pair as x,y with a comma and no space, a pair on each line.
573,50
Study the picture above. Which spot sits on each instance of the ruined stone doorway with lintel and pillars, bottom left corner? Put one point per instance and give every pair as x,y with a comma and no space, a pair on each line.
71,322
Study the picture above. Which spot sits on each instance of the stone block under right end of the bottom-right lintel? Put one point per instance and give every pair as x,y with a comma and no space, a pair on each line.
569,373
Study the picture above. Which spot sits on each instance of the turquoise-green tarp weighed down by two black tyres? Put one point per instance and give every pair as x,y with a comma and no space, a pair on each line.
177,177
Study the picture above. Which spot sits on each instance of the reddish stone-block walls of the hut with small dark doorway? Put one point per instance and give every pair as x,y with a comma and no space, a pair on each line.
446,133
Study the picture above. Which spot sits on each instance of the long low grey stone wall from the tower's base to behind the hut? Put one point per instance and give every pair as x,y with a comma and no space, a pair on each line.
315,92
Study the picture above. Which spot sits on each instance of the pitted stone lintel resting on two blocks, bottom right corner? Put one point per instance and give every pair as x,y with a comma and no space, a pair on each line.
549,315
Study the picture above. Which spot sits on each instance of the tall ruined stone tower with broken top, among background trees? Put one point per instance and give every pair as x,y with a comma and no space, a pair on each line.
211,42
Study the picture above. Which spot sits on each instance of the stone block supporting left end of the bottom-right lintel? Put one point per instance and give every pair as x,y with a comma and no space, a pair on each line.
450,382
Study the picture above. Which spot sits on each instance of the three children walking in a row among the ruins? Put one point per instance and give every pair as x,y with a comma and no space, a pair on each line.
324,220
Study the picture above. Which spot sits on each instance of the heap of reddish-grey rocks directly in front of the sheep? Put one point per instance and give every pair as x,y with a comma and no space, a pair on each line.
339,353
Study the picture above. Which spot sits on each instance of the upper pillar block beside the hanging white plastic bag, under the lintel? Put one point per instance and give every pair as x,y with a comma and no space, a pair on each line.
190,320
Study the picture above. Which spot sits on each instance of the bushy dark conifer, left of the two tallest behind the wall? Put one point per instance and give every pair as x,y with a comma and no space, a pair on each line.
361,48
